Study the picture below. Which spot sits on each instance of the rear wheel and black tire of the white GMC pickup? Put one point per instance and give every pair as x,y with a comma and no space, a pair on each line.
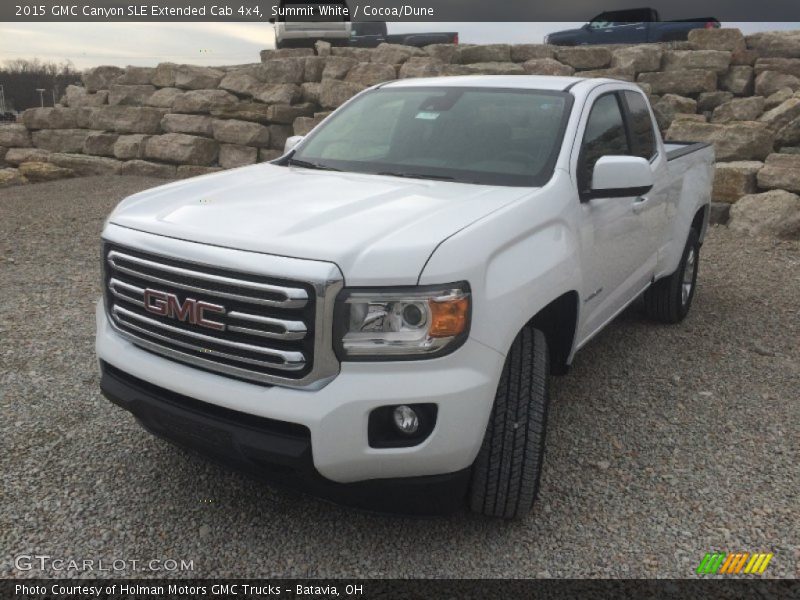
668,300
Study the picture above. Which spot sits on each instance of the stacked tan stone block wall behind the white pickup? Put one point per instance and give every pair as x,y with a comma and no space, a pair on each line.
741,93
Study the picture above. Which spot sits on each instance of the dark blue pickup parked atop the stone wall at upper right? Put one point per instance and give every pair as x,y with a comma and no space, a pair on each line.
635,26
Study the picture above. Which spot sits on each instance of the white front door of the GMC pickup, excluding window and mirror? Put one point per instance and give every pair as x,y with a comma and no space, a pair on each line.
615,244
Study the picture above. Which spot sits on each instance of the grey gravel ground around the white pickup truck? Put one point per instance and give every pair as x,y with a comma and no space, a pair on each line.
665,442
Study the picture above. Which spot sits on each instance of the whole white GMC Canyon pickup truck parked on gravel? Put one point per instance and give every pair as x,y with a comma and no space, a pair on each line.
375,315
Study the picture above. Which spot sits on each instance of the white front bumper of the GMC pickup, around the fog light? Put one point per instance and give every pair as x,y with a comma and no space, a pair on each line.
462,384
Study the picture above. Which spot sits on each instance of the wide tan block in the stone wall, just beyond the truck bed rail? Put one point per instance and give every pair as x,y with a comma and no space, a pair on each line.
739,141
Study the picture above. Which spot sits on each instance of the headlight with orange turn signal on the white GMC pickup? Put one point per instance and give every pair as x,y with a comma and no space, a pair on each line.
402,323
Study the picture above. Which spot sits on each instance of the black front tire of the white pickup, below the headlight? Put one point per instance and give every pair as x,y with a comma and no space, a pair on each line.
505,475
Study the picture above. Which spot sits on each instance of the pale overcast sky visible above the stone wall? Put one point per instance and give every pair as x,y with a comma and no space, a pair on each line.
146,44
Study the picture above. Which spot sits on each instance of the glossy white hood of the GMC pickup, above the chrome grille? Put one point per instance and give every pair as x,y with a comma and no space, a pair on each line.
378,229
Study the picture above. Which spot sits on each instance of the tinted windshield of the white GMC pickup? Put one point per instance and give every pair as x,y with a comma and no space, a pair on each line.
473,135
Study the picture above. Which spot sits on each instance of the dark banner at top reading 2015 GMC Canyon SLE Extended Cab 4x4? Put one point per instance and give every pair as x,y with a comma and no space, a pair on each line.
394,10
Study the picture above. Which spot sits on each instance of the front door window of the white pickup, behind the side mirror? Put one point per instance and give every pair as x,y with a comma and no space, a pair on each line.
604,136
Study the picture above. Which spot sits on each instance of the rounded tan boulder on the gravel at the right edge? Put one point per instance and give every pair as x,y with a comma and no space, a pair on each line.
772,214
